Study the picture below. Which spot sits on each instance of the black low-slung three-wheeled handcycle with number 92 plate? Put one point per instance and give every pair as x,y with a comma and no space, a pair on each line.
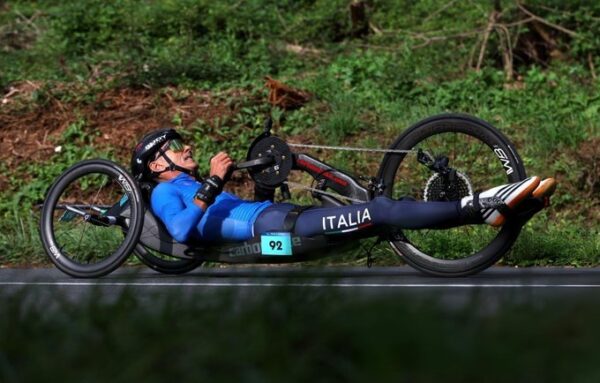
95,215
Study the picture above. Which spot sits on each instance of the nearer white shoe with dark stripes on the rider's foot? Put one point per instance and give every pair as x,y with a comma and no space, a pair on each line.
493,205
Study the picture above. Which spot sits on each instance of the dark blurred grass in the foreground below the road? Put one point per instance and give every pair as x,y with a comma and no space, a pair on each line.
294,335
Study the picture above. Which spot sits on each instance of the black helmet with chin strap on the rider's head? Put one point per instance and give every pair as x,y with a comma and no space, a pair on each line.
145,152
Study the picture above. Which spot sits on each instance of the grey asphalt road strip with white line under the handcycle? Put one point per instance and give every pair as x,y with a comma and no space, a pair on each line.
493,286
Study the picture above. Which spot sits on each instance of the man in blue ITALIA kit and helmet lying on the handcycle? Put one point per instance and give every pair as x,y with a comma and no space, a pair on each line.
193,209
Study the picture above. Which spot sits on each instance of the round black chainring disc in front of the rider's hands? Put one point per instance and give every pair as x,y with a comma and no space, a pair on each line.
275,174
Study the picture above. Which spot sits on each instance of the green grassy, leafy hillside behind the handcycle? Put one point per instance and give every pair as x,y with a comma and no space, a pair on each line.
413,60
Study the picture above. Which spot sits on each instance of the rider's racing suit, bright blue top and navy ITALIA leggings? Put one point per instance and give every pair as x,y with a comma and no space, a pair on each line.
230,218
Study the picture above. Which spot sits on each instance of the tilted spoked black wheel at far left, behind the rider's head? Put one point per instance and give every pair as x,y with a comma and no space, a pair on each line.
91,219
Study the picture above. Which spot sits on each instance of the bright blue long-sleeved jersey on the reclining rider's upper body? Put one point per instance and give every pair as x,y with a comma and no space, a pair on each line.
229,218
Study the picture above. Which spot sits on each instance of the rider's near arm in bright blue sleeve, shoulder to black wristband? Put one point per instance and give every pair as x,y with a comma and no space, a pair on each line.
179,218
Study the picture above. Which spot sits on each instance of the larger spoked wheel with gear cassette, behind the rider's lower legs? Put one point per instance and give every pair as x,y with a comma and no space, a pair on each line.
455,155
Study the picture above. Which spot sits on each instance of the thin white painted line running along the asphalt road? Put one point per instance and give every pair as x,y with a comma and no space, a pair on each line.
268,284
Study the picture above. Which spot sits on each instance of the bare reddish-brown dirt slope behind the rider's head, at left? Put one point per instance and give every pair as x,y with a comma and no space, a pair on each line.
32,130
